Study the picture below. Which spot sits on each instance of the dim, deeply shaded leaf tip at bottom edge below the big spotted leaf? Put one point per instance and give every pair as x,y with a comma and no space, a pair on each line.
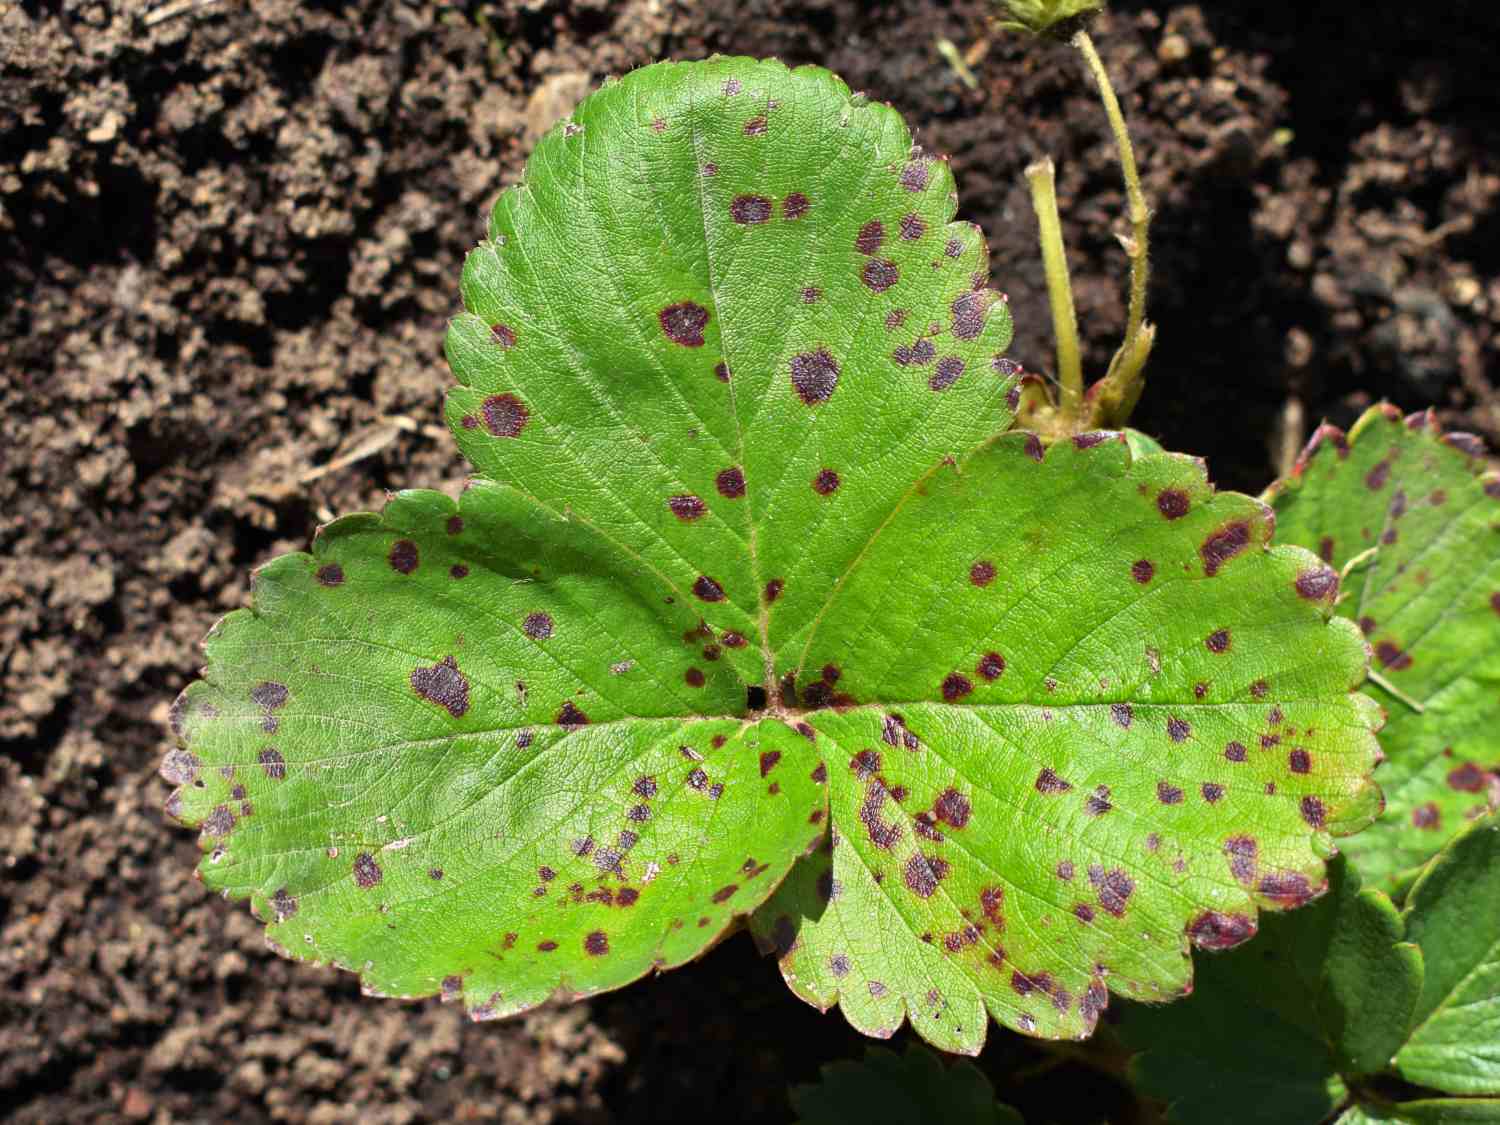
898,1090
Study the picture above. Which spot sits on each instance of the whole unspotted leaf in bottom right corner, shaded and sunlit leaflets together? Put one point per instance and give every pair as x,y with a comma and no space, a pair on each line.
1336,1001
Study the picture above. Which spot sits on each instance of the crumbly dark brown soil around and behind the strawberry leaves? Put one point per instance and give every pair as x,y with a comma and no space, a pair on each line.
230,238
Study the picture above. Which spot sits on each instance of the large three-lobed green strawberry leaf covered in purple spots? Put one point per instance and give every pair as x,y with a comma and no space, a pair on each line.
748,559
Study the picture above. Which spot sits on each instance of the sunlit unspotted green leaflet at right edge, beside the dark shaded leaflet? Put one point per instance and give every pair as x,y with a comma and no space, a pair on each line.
1454,913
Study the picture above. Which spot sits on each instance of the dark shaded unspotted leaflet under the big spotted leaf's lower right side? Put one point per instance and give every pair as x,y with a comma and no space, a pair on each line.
1276,1031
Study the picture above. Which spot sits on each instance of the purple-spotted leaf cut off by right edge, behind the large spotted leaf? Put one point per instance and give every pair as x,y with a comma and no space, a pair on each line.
1430,607
